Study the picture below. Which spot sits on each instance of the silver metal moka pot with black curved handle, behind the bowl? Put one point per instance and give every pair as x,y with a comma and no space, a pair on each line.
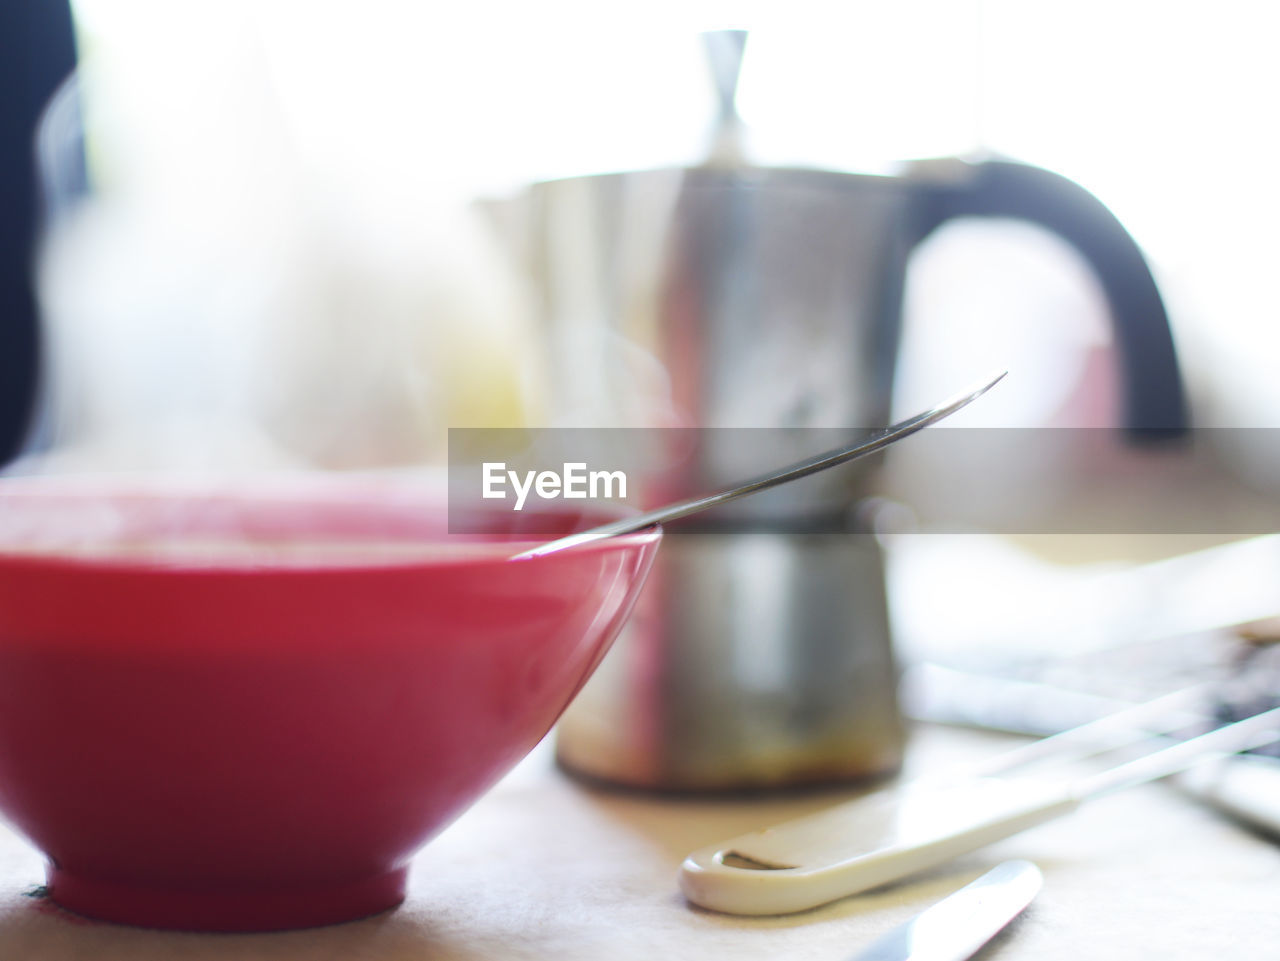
761,653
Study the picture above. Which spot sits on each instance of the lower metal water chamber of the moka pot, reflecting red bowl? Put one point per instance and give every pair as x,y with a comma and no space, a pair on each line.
752,661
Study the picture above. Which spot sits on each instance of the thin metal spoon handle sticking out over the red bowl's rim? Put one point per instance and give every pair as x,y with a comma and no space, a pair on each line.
803,469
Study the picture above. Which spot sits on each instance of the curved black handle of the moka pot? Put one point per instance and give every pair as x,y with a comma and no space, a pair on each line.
1155,402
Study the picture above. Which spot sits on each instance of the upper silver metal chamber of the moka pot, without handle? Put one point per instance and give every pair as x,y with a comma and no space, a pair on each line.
716,298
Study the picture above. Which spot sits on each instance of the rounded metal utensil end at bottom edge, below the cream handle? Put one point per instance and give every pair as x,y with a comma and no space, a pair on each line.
957,927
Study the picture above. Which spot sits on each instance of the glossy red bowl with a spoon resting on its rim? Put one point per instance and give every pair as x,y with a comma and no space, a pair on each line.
246,712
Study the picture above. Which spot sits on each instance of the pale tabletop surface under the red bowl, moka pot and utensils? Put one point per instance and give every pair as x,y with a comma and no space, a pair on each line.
547,868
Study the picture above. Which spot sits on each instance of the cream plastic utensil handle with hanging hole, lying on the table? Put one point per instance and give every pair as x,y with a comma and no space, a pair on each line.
865,844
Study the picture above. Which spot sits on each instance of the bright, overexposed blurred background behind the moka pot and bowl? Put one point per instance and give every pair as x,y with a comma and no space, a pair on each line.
281,248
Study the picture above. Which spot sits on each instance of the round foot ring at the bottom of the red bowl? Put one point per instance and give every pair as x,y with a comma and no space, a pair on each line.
236,910
